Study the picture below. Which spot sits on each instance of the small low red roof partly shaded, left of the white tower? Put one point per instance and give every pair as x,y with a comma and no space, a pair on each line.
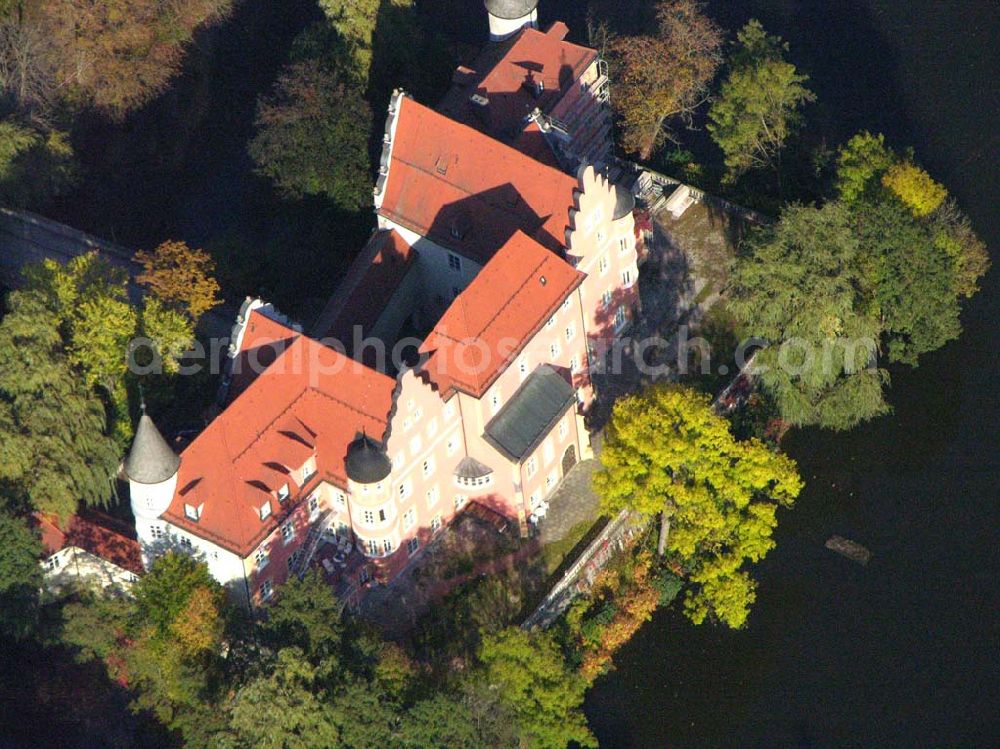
96,533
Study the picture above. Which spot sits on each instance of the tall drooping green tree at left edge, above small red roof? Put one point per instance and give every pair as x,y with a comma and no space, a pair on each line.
53,438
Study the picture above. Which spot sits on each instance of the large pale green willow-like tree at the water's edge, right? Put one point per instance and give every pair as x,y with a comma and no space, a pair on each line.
801,286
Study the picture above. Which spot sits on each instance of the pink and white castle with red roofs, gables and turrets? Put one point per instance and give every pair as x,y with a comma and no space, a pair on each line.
501,276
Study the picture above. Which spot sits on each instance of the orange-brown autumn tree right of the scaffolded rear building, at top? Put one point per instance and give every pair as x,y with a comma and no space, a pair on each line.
665,75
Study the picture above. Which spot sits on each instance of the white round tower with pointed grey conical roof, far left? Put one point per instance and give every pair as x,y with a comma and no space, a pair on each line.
151,467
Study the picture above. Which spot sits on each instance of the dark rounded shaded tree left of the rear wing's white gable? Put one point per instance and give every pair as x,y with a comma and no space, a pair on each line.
312,135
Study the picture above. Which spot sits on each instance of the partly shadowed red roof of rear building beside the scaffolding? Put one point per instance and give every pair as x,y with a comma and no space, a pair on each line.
511,85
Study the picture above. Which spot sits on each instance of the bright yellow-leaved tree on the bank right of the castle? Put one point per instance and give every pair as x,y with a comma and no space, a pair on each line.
668,454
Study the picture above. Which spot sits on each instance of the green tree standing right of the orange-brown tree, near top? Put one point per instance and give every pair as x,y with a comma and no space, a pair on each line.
758,105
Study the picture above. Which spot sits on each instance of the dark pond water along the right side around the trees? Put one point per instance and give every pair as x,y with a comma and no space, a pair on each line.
905,652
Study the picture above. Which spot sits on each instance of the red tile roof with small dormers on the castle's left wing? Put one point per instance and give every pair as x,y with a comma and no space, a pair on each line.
310,400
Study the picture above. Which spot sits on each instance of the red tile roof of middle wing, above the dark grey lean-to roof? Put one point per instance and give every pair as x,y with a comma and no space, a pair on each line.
490,322
